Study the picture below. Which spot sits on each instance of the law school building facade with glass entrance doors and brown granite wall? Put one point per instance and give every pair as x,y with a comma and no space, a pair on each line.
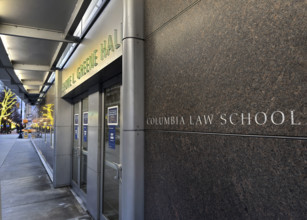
186,110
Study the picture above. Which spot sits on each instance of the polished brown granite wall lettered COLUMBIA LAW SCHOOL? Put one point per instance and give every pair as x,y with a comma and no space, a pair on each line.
225,105
